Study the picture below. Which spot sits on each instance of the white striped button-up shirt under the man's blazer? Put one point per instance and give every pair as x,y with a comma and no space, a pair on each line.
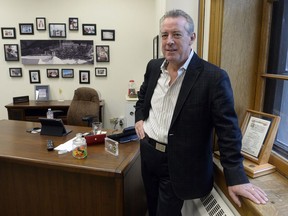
163,103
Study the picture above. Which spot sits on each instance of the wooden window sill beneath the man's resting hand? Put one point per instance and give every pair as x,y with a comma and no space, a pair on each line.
274,184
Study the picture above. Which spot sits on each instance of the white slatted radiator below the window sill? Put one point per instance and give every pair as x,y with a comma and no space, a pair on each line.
211,205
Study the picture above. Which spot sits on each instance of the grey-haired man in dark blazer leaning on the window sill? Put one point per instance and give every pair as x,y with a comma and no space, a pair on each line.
182,99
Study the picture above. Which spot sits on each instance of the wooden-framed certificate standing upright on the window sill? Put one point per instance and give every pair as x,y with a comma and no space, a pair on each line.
266,146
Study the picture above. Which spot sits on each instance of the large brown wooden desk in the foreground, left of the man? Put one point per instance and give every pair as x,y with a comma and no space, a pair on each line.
34,181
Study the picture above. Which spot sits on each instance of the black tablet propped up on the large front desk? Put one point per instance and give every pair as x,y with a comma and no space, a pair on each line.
53,127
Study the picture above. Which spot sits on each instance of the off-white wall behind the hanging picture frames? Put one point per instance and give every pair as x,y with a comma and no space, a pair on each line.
133,21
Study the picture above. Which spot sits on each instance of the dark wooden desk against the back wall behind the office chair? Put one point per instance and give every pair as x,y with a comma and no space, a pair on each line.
32,110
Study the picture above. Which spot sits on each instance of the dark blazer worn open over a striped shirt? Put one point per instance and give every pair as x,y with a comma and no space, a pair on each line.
205,103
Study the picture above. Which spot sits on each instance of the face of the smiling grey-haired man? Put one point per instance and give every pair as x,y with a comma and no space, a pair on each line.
176,42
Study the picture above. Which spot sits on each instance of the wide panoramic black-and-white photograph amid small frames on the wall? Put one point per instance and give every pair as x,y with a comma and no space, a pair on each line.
57,52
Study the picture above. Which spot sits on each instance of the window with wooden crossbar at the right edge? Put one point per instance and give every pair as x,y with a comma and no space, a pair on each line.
276,90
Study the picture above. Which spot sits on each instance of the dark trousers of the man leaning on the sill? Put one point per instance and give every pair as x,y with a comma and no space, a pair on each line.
161,198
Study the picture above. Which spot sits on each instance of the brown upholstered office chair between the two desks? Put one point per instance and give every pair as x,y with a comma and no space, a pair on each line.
84,108
